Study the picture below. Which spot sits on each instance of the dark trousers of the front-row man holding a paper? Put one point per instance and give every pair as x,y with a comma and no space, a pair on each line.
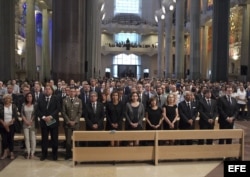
45,140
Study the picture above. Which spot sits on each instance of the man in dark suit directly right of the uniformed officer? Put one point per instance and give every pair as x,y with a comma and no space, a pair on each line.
94,115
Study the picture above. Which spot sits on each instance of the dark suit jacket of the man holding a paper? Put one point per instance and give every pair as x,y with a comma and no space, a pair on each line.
52,110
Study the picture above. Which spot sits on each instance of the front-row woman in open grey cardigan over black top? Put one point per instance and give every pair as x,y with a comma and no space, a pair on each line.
134,115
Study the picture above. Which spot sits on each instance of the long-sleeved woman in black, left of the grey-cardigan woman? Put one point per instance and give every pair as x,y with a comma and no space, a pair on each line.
114,114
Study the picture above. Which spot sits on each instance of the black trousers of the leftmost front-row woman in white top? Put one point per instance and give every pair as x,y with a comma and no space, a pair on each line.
8,138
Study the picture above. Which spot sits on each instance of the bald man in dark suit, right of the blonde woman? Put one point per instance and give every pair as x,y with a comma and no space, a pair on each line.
188,113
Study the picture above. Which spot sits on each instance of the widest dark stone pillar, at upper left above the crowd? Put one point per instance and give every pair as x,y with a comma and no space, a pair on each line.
68,39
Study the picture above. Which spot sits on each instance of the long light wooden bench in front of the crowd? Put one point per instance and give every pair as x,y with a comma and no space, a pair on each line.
155,152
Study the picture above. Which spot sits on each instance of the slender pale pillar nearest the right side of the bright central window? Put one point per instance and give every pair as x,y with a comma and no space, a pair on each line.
160,47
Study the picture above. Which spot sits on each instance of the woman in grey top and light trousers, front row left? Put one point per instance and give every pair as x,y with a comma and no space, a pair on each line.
29,129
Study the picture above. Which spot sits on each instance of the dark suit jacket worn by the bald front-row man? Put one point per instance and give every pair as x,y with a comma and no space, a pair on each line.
186,114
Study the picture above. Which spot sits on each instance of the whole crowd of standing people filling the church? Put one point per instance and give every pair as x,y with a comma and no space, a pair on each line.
165,104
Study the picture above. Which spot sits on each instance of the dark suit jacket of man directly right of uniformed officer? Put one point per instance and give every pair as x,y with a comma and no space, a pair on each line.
94,118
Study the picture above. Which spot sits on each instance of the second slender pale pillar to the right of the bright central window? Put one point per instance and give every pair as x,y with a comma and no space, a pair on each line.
168,44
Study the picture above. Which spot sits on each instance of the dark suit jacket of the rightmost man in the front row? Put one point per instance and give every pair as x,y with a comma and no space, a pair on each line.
227,109
